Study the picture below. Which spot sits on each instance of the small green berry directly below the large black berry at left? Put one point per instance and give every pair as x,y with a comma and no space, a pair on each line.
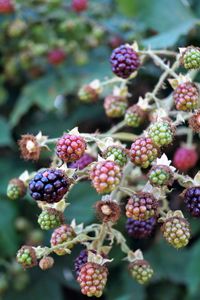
50,218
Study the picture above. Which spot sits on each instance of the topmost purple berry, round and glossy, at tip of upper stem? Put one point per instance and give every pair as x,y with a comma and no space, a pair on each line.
124,61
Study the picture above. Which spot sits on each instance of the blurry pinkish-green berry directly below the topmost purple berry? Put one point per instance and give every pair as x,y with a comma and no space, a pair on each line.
115,106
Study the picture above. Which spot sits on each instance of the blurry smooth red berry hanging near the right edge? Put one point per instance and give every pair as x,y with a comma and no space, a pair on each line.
185,158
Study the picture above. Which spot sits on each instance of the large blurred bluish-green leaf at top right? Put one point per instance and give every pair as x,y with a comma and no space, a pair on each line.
157,15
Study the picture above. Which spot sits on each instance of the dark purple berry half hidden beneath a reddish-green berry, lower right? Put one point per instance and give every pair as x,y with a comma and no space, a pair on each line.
140,229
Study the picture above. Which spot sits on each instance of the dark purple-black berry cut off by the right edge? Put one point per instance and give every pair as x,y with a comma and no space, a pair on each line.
192,200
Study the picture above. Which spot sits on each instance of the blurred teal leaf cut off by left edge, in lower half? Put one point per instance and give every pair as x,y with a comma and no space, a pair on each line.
8,237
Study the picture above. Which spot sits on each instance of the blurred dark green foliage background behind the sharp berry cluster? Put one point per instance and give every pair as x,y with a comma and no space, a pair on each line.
36,95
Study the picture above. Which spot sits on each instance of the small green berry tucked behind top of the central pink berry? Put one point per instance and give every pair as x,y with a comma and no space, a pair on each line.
120,154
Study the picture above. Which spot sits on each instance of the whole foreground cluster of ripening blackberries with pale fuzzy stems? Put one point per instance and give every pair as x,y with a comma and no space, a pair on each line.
117,172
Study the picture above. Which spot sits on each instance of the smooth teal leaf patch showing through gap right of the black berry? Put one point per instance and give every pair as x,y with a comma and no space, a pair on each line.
82,199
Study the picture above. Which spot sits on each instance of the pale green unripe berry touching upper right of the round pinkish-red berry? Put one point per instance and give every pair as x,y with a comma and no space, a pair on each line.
161,133
